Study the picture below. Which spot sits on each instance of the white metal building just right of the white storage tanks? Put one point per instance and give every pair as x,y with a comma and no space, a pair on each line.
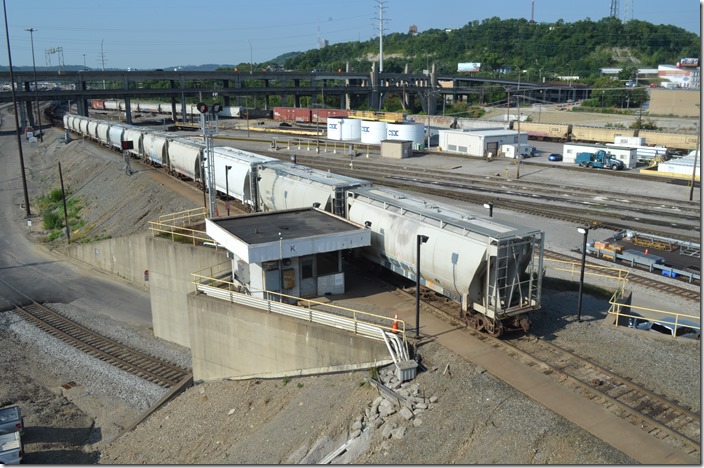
478,142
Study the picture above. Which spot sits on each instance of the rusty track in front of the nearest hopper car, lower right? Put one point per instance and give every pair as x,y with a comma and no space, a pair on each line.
653,413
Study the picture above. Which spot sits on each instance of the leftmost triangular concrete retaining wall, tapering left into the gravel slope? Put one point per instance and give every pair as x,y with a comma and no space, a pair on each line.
125,257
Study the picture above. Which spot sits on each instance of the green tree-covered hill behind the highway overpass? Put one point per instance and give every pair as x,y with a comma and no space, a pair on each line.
541,49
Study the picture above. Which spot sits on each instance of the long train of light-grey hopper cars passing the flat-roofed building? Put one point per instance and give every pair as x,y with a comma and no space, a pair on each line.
493,270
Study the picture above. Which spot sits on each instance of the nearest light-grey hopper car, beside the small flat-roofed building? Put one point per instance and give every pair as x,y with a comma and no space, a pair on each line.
493,270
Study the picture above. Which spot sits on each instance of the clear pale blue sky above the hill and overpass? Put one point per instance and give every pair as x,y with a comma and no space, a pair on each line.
149,34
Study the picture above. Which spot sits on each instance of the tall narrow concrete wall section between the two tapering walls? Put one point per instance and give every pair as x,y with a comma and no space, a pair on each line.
170,267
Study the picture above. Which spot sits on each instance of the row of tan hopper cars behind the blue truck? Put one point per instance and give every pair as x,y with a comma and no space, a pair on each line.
604,135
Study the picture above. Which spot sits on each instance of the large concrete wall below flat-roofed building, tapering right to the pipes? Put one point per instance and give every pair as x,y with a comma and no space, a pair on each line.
232,341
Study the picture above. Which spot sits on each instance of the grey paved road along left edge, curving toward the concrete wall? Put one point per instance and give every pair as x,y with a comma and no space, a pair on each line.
42,275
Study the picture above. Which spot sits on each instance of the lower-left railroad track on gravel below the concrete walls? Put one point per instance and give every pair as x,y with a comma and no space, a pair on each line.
123,357
